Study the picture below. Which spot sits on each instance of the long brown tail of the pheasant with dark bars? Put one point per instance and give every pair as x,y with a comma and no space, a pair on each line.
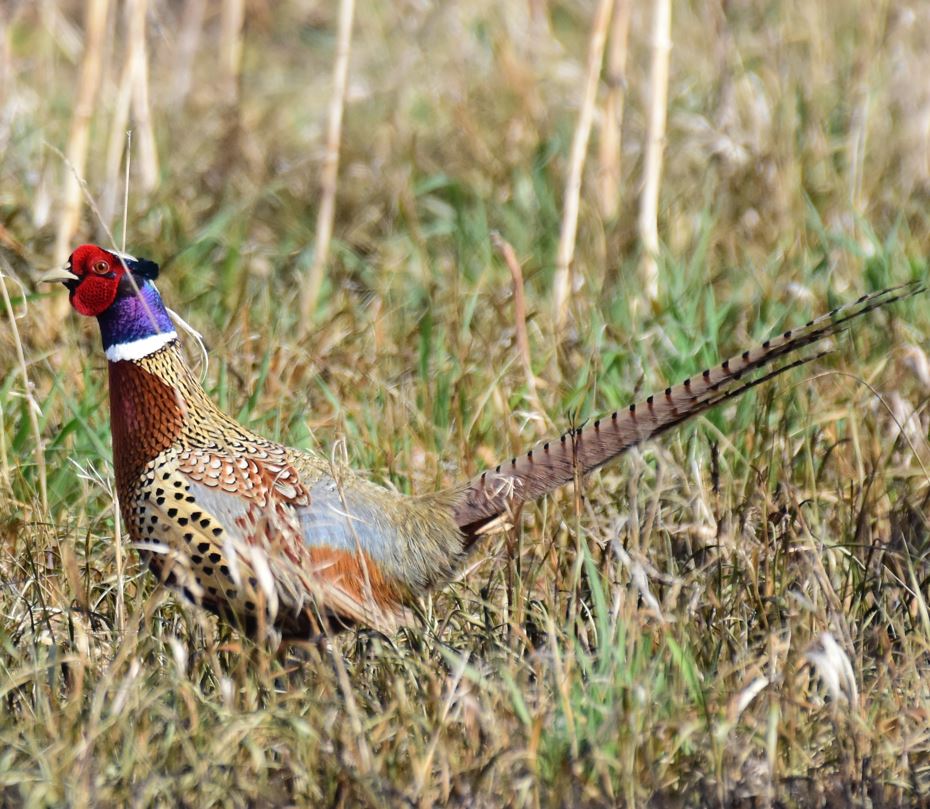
554,463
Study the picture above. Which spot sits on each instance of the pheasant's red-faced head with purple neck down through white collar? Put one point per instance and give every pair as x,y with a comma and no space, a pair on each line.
119,290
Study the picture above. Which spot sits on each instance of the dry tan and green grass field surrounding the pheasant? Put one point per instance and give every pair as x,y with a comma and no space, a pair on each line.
734,615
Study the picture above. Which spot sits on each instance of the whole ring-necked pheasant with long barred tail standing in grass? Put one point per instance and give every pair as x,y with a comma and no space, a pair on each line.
281,539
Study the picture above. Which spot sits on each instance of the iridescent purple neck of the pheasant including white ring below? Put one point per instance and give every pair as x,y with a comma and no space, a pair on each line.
136,325
